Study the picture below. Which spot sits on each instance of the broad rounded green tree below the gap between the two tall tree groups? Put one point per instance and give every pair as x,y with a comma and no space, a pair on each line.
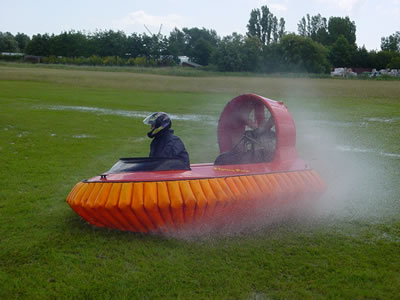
303,54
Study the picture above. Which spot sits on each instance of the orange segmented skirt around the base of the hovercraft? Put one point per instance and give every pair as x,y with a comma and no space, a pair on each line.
166,205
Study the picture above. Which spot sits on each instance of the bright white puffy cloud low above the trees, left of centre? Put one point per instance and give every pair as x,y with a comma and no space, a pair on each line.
138,19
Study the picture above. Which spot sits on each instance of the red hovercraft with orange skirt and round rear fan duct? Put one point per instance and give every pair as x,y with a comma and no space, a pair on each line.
258,166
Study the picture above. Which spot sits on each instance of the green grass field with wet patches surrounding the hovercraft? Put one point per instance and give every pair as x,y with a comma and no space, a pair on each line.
58,126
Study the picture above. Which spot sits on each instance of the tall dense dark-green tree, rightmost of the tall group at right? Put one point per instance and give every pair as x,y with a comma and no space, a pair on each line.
342,26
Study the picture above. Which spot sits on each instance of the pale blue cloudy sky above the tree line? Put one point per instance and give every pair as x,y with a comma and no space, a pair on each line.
374,19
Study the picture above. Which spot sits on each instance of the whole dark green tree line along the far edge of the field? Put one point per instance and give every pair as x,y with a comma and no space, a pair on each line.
318,45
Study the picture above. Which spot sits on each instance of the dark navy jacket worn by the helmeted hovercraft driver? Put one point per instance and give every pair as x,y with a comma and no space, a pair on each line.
167,145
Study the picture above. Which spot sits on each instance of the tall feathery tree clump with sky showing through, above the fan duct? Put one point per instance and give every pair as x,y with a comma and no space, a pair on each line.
264,25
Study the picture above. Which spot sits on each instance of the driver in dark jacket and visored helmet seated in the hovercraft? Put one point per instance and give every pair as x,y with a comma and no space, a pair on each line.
165,144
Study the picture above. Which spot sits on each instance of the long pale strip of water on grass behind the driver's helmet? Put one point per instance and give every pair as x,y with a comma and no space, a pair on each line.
129,113
